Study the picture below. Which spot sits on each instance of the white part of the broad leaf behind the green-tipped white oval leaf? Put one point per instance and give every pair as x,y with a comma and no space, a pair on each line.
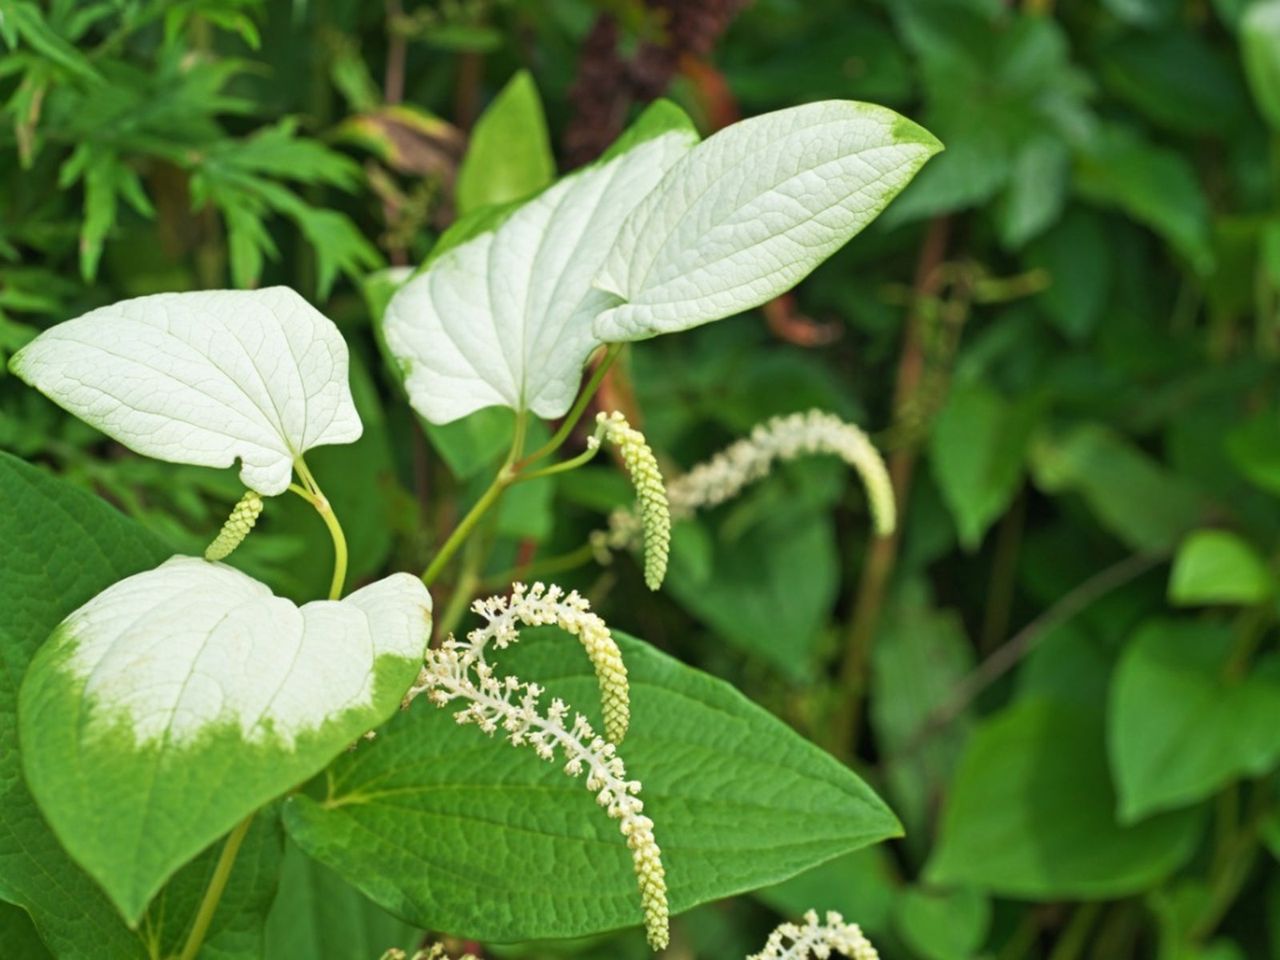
505,319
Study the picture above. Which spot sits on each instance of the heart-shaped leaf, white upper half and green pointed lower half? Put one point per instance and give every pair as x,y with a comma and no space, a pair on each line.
179,701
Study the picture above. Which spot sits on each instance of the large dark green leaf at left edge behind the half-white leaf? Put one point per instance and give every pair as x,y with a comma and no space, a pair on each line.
62,546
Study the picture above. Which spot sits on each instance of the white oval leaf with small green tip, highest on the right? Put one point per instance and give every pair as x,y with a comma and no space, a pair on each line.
753,211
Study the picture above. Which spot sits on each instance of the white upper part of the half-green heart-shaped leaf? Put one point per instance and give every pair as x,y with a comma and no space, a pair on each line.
194,644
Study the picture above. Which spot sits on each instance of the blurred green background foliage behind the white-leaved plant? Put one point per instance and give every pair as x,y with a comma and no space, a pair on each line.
1063,673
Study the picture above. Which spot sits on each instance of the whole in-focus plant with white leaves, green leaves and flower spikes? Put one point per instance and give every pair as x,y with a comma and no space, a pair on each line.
185,712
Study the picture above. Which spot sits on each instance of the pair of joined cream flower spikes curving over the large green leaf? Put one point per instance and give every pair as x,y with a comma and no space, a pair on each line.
459,671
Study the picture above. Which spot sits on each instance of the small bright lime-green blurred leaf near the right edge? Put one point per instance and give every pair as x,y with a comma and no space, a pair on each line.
1218,566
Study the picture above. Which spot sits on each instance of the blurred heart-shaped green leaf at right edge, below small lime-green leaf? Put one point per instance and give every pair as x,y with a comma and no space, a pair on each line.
1182,725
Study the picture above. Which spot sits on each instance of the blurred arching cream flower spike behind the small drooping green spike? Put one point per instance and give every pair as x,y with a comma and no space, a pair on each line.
729,473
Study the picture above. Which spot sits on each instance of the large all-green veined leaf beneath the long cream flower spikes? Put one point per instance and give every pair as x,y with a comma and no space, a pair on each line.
446,828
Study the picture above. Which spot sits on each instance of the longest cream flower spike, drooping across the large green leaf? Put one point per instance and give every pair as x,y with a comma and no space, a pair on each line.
459,673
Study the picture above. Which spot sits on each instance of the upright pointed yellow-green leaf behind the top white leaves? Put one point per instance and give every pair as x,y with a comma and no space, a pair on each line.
510,153
